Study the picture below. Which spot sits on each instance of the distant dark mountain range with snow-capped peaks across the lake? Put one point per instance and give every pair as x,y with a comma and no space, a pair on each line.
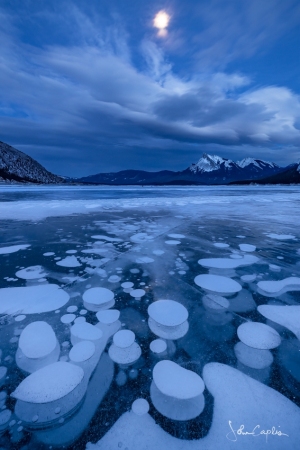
210,169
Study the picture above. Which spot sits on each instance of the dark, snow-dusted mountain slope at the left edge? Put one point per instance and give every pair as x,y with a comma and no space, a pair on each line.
17,166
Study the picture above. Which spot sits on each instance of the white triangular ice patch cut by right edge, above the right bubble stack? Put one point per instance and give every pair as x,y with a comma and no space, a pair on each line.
288,316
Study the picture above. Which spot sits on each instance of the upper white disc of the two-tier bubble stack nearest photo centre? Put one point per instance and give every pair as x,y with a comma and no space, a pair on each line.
168,312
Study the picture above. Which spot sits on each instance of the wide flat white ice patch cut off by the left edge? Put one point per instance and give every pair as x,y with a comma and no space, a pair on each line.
32,299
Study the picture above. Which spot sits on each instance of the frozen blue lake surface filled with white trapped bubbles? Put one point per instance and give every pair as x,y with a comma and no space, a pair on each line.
149,318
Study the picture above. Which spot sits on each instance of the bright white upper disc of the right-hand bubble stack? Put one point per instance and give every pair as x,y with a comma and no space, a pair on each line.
258,335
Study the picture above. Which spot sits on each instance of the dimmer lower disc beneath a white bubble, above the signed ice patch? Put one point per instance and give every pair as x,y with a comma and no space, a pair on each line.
253,357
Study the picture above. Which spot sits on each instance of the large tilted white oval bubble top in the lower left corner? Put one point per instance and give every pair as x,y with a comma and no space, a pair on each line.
49,383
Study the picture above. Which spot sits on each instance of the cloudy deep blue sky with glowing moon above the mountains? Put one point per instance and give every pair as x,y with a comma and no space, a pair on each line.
107,85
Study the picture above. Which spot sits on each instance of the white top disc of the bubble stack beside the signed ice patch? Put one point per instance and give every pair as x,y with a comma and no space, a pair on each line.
177,382
